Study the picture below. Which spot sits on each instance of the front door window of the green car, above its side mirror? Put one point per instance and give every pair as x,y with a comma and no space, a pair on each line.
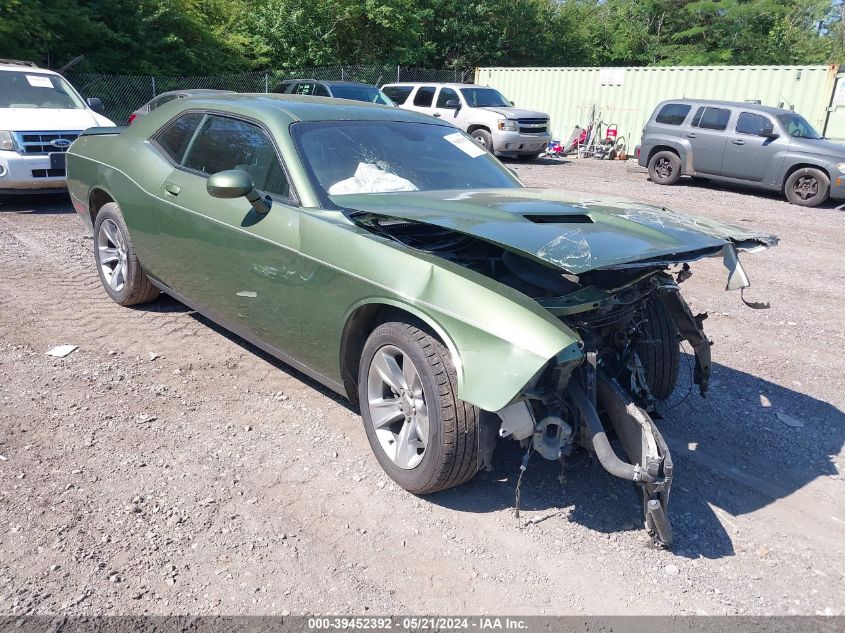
223,143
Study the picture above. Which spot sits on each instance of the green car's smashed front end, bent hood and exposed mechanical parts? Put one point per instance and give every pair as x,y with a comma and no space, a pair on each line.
625,311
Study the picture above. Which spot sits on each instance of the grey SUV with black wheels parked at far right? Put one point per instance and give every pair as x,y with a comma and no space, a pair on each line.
743,143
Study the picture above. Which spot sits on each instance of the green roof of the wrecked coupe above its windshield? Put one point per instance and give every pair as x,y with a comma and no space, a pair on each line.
300,107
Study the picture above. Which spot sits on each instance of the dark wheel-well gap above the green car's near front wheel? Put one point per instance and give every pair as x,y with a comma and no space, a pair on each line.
358,328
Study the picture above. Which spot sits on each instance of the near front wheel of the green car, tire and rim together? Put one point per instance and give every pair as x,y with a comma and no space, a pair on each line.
450,452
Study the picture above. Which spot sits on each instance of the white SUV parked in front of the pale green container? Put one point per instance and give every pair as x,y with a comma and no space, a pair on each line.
481,112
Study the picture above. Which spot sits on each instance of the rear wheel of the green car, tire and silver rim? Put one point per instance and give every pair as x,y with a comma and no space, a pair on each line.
121,273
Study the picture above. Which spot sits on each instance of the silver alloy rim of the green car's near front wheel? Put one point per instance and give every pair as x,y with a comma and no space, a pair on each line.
398,408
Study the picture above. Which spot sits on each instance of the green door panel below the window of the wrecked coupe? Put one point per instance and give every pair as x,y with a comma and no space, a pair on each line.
221,255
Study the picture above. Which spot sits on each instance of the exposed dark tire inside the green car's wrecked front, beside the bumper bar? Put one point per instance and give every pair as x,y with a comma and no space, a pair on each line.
660,352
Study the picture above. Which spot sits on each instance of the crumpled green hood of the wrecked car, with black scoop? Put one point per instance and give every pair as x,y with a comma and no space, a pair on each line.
572,231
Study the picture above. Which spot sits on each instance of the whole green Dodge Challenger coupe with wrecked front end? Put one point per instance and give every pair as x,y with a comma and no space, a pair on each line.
388,256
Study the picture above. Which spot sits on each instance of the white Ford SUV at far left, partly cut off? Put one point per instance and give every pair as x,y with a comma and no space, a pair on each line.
40,116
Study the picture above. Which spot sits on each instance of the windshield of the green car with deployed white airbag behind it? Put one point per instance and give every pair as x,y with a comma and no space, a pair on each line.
346,157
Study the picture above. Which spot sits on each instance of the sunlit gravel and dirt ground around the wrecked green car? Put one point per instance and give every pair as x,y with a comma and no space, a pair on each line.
167,467
